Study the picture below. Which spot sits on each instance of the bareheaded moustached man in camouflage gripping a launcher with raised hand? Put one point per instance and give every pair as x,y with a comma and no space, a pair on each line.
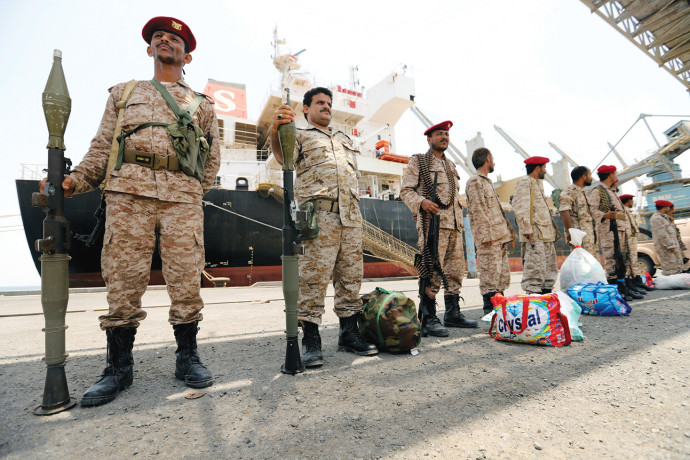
326,169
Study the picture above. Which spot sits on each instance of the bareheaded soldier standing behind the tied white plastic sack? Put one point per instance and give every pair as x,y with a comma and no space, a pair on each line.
575,211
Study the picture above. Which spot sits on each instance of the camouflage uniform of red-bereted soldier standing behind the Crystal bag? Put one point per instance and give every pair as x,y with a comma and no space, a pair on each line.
539,264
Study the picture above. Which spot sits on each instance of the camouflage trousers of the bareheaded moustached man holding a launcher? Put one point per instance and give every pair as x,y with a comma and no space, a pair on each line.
337,250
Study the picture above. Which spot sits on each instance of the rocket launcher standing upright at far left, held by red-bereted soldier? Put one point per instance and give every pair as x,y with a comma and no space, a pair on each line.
55,243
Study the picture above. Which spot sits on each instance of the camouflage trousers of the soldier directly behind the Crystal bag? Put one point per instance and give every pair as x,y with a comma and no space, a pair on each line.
539,266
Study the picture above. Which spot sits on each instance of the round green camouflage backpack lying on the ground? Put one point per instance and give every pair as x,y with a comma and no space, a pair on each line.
389,320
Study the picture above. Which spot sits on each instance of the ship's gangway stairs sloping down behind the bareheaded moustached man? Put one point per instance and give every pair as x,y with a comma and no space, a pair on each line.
375,241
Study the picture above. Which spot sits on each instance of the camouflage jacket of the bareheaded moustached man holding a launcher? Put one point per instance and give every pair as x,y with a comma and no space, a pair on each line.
326,167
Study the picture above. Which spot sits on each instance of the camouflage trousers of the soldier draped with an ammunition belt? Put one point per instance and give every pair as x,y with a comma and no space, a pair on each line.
451,257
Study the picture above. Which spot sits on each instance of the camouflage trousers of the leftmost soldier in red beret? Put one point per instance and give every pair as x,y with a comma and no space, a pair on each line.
131,226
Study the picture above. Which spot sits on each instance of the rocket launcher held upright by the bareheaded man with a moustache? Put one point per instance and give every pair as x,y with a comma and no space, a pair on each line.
292,247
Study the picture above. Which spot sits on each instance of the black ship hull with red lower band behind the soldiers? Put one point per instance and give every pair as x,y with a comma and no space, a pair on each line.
241,231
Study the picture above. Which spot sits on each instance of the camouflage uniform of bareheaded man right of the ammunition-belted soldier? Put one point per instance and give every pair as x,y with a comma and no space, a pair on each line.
489,224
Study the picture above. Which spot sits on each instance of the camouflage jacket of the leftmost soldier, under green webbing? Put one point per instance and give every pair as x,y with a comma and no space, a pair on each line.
144,105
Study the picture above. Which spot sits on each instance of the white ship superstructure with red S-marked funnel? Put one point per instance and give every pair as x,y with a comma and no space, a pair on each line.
368,117
